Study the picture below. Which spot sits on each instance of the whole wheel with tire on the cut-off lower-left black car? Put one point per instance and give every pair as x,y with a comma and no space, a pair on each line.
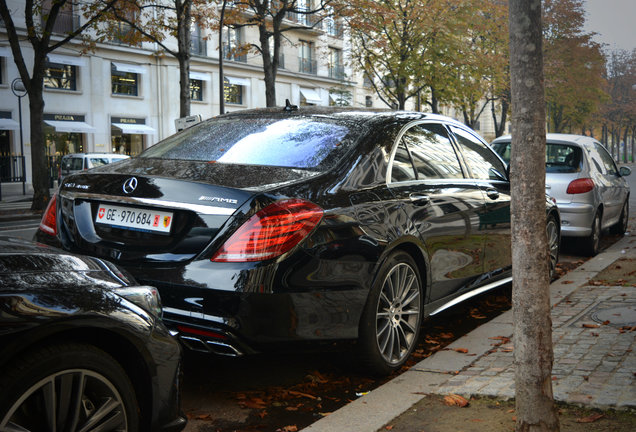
85,384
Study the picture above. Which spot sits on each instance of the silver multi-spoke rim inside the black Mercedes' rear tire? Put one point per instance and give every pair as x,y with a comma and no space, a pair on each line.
398,313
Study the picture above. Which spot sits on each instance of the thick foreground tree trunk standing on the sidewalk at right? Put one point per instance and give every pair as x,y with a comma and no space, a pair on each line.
532,336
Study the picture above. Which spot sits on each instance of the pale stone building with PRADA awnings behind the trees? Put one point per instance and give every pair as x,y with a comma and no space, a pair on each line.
123,98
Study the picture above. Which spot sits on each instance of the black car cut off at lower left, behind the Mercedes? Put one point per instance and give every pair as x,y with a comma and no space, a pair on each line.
82,347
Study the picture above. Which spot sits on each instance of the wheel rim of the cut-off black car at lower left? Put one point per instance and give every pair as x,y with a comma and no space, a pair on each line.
76,399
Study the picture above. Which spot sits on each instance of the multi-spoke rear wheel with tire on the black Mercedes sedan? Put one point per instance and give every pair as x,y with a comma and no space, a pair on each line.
390,324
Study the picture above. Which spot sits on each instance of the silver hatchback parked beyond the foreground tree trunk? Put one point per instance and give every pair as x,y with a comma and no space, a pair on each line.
590,190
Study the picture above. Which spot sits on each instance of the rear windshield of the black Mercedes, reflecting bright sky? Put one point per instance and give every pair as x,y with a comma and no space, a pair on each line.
294,142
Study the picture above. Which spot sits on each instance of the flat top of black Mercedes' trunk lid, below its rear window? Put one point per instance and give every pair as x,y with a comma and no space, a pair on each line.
228,175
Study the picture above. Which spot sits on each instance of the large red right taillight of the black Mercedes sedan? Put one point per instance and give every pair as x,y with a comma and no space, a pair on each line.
271,232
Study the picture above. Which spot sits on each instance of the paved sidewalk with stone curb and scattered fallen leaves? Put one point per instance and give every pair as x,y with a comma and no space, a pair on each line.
594,352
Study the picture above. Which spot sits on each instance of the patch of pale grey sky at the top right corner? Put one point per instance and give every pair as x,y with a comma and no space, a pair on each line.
614,21
